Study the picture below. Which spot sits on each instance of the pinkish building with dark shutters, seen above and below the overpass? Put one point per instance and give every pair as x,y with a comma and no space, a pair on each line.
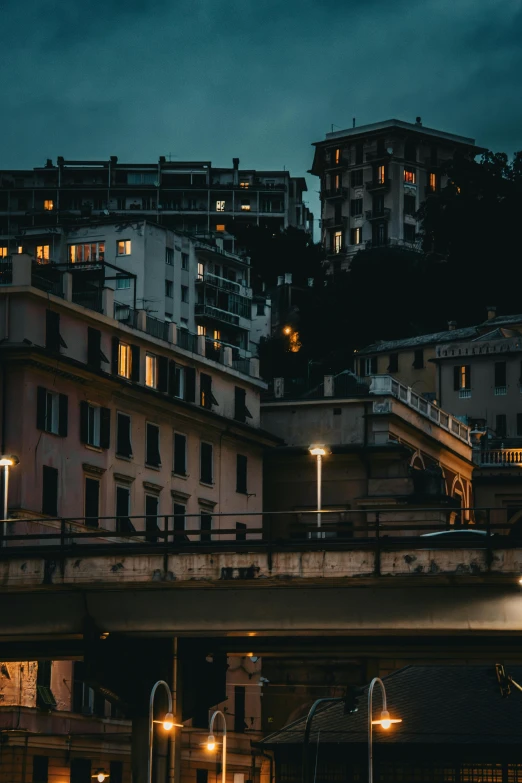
122,427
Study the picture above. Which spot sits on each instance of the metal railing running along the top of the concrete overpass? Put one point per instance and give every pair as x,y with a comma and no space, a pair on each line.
445,526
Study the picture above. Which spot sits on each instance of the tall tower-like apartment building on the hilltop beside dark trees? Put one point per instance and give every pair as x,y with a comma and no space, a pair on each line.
374,179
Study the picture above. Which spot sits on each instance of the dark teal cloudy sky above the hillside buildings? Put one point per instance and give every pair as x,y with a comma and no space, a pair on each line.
256,79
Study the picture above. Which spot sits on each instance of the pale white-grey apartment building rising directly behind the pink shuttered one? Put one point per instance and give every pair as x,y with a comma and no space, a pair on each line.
172,276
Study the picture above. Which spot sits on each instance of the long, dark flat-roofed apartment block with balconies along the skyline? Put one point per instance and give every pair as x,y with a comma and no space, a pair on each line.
192,196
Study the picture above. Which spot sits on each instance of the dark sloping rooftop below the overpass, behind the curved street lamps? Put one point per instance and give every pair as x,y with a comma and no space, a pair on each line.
442,705
